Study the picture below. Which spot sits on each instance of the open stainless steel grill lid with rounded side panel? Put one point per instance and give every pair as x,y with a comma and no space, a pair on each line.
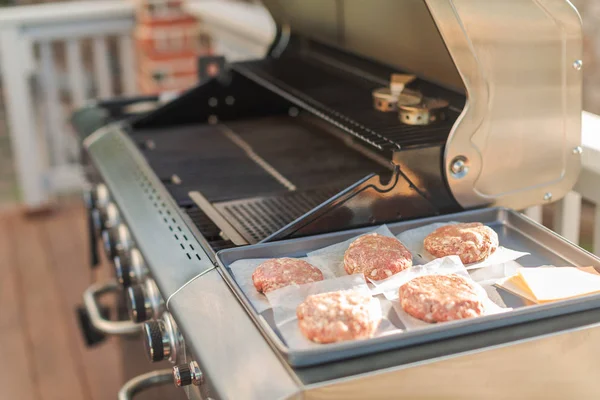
518,62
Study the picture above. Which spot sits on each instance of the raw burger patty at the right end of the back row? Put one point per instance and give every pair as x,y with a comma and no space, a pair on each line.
472,242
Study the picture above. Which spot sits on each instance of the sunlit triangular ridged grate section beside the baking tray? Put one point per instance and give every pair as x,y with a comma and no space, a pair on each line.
259,217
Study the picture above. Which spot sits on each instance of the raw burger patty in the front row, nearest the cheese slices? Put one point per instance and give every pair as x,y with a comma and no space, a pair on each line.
440,298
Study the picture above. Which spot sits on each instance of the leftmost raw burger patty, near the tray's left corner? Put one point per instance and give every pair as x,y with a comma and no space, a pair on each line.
280,272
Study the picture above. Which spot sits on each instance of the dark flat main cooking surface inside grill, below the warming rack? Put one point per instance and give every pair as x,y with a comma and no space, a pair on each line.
206,160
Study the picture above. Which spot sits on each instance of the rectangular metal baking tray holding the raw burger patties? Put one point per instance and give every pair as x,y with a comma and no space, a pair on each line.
515,231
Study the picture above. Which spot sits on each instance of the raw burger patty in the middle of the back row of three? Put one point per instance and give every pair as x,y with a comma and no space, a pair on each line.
376,256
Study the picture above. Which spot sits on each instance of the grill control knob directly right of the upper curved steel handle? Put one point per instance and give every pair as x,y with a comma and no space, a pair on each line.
144,301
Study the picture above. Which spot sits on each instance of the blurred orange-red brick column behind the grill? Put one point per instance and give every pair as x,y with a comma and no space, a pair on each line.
168,43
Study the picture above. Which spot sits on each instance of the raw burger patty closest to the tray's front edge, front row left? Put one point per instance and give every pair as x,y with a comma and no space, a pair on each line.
338,316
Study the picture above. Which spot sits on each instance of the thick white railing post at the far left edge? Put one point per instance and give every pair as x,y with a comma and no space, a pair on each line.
21,118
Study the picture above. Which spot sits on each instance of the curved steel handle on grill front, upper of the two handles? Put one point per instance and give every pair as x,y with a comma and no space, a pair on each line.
98,321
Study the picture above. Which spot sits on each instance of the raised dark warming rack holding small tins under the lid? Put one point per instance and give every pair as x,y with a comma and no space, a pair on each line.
345,99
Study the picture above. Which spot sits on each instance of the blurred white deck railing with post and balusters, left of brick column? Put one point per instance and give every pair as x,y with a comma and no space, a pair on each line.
43,147
